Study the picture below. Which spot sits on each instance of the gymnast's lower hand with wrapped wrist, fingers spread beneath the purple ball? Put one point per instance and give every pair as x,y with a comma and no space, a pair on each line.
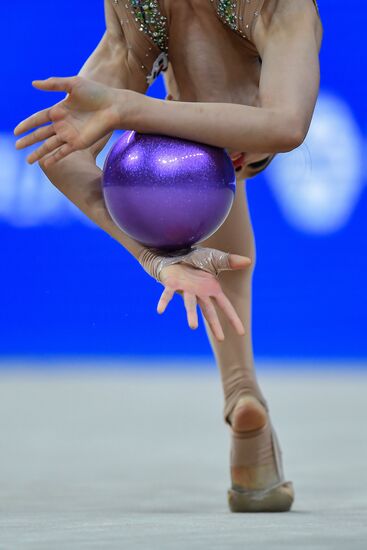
195,277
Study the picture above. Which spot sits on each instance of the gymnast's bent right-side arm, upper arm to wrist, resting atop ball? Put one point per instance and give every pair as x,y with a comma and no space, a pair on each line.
289,87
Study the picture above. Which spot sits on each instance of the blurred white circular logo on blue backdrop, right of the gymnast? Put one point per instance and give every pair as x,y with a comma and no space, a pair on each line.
318,185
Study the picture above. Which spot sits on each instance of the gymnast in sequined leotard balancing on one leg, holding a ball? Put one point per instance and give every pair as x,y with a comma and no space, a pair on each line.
239,74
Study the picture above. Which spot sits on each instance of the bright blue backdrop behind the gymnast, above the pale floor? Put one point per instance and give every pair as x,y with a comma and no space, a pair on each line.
68,289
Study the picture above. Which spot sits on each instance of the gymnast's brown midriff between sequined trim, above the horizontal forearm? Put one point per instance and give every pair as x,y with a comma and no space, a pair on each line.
233,71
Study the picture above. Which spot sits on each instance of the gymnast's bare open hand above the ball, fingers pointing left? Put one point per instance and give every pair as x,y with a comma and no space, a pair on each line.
77,122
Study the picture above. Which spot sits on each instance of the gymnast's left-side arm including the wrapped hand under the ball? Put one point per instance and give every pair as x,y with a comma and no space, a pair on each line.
78,178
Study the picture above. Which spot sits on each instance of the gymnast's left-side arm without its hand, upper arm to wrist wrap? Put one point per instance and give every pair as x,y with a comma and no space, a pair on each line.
77,176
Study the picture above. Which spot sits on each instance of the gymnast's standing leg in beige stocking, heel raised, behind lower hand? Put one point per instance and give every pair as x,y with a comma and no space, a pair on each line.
245,408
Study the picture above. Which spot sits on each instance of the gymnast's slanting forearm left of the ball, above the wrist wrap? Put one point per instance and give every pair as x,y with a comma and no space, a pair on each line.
79,179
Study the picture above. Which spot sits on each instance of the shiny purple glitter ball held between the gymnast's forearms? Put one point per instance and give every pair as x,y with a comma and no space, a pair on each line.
165,192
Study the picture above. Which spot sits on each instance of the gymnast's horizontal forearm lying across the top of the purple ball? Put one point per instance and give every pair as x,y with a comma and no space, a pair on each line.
233,126
